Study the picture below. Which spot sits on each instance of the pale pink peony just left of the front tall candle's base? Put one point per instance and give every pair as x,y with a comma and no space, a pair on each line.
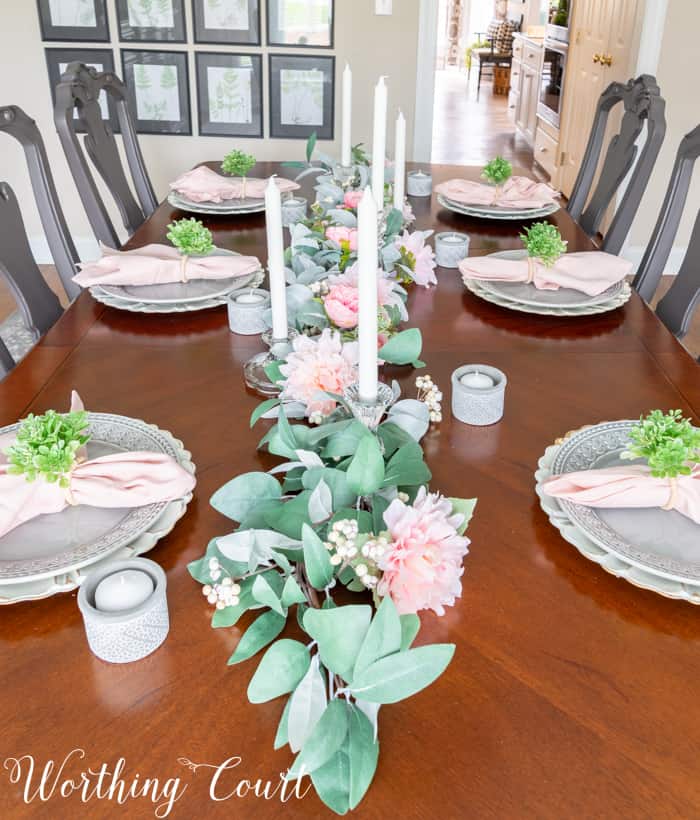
321,364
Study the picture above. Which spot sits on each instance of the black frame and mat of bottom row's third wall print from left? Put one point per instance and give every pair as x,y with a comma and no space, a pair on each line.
209,124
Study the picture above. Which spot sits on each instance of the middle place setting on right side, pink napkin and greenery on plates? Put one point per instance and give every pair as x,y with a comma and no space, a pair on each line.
546,280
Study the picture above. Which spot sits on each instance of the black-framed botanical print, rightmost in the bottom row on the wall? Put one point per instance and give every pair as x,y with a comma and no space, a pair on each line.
301,96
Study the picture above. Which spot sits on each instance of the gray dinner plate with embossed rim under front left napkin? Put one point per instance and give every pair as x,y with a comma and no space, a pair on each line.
80,535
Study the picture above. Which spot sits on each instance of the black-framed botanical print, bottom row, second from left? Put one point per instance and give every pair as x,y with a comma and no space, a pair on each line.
158,88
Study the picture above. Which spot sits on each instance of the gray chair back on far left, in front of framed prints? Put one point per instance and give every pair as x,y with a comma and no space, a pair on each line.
78,92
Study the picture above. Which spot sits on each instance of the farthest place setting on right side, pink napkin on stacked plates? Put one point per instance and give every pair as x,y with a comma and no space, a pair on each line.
501,196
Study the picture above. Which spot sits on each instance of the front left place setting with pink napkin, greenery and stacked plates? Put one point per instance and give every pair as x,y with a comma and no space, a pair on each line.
79,488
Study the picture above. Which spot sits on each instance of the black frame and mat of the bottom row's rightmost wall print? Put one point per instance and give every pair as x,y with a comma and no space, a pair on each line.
282,125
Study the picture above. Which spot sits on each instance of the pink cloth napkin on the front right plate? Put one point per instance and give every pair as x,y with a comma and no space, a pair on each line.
632,486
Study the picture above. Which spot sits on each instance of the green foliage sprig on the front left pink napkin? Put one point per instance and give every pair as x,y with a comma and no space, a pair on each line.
46,446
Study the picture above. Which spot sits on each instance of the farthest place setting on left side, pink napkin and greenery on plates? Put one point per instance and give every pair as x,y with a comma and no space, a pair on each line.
203,191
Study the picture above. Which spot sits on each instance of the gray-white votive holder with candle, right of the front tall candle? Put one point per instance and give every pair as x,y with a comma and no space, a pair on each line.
478,393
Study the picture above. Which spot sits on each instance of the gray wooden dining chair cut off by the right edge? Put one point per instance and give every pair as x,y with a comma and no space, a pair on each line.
676,308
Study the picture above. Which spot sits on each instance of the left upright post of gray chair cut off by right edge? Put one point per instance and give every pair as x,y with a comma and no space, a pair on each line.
655,257
